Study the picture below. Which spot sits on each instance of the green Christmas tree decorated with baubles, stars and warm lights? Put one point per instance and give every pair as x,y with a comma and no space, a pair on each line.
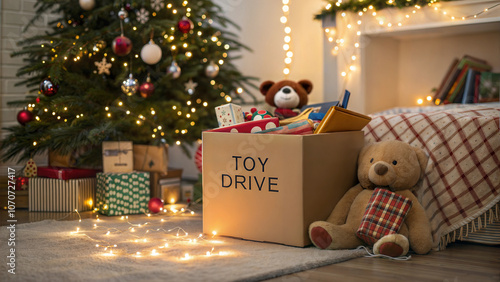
148,71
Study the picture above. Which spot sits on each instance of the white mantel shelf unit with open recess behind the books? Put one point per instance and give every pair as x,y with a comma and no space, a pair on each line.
398,65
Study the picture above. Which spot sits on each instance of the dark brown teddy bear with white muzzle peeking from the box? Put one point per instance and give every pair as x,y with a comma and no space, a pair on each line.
286,95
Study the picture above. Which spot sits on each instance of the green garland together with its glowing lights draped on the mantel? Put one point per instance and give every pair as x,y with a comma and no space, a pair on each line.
352,17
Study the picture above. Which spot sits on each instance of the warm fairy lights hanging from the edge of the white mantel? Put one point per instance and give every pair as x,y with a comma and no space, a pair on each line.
349,43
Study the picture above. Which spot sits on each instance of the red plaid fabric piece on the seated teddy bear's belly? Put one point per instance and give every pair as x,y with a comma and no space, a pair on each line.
384,215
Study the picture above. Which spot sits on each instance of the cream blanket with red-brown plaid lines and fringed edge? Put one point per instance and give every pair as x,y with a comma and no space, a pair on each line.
462,179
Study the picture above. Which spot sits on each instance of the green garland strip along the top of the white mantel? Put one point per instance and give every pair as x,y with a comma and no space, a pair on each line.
334,6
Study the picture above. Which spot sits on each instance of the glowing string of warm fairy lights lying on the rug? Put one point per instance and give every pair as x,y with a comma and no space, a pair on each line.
149,236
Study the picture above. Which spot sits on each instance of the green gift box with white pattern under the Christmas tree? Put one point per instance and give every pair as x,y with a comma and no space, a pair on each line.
122,193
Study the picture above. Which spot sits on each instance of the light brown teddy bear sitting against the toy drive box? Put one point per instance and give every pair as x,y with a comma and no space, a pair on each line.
396,167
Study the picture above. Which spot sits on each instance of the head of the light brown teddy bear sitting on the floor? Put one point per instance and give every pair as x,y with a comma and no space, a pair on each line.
392,164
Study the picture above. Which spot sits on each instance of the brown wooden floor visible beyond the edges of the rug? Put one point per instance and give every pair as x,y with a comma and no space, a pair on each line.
459,262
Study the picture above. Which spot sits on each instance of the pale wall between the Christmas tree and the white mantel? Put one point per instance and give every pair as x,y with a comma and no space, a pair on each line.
262,31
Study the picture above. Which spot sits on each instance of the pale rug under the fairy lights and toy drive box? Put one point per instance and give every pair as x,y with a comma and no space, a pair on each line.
49,251
